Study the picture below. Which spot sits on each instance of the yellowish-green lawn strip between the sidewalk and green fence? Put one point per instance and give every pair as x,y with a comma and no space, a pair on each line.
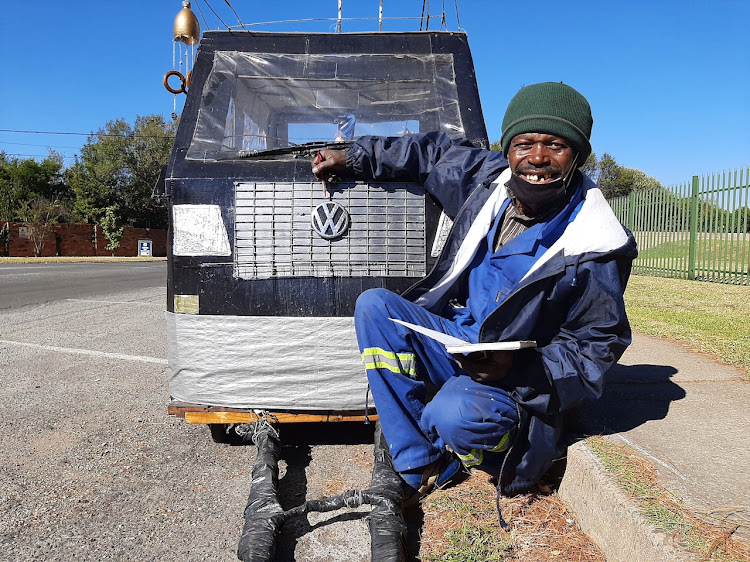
709,318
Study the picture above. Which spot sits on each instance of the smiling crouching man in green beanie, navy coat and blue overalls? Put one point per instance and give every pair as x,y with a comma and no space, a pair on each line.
535,253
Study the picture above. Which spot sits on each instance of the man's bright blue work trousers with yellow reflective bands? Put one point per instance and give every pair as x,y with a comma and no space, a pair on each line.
403,367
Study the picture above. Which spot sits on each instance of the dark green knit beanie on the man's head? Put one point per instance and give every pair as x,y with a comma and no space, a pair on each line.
553,108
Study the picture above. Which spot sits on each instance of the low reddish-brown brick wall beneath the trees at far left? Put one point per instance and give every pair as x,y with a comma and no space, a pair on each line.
75,239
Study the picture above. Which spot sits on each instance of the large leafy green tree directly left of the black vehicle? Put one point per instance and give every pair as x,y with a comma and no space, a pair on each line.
118,168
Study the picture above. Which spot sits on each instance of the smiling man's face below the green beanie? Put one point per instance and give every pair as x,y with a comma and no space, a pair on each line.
539,157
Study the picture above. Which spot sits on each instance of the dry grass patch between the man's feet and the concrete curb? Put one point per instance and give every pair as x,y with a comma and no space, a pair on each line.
461,525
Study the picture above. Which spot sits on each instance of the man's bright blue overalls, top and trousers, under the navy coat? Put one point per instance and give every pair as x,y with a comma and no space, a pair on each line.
473,419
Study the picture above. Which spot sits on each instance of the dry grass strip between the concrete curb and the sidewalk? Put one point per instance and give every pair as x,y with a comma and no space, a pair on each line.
639,479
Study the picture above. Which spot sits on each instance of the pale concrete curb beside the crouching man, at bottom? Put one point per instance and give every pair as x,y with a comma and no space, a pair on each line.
609,517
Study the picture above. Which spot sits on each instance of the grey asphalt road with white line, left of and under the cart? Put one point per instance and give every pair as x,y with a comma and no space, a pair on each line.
92,468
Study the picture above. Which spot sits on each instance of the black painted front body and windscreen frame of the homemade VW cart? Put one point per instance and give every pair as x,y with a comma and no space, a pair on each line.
192,181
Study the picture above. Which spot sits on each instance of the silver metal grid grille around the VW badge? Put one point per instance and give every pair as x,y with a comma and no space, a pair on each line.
274,239
